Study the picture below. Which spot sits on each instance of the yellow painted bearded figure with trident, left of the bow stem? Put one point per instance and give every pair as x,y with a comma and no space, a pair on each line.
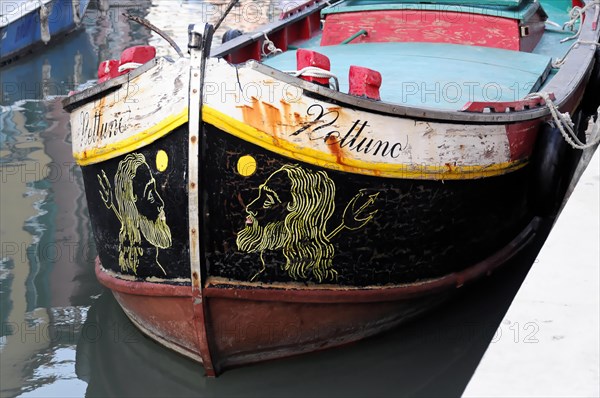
139,208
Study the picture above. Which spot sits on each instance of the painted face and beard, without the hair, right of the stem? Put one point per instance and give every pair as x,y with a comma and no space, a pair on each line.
265,220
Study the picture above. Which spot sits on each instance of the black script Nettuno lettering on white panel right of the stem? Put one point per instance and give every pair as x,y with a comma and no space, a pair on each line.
355,138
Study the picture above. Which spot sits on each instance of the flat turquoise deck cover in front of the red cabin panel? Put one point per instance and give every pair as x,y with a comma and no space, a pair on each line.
431,75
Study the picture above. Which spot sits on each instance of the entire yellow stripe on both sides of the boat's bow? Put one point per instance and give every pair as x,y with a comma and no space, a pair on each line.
250,134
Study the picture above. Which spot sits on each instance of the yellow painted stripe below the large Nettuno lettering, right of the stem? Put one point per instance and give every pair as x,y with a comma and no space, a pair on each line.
321,159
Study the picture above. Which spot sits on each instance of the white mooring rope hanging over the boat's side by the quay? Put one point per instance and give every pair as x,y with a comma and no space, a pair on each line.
565,124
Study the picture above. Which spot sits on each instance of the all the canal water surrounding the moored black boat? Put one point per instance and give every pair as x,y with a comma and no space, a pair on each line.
63,335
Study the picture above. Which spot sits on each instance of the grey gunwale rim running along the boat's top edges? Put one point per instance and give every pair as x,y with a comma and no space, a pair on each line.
564,85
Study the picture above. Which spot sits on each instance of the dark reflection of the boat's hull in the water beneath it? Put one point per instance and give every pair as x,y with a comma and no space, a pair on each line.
433,356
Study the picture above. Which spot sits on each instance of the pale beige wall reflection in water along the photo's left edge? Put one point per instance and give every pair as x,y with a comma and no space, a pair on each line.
23,198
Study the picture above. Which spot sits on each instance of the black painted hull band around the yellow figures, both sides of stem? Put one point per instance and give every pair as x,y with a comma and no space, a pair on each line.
422,229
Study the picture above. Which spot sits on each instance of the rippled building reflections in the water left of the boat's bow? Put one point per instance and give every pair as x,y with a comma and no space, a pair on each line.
46,245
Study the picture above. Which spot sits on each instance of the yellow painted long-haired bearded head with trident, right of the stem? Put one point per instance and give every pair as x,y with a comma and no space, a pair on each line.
291,213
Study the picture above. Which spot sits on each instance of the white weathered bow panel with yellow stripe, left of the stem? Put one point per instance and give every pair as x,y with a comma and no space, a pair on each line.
132,115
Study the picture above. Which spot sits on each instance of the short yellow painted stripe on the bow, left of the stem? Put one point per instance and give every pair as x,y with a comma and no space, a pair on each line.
132,143
